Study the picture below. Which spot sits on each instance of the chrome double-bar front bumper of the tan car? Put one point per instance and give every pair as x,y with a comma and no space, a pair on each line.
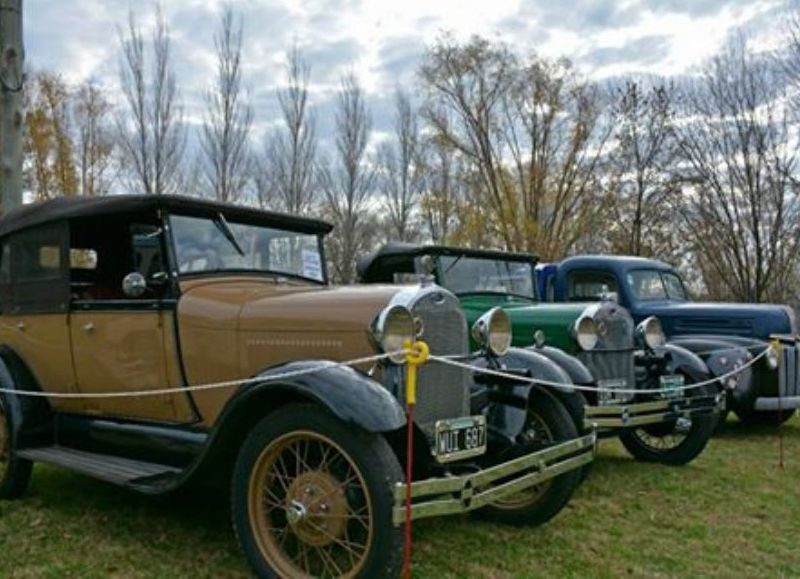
459,494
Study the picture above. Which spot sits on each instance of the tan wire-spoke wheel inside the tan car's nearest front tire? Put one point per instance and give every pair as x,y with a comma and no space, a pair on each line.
310,508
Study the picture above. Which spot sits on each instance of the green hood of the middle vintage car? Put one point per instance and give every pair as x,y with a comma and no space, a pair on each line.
555,320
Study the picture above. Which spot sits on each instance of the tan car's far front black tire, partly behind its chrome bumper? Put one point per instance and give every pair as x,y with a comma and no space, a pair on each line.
553,495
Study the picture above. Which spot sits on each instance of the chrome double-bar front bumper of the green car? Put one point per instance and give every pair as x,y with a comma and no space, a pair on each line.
655,412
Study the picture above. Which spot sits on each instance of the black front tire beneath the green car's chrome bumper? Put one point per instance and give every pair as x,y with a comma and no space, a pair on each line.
640,442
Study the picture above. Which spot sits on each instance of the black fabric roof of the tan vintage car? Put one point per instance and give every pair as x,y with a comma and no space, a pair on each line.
72,207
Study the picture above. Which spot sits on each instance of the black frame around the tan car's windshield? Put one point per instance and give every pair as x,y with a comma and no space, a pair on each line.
228,272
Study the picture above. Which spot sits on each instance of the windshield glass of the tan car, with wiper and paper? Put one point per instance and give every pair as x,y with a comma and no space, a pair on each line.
212,245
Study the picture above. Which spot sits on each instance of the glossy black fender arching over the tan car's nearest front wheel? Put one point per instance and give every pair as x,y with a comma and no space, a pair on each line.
349,394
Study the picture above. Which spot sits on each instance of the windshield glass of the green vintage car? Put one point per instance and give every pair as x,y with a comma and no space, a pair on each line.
464,274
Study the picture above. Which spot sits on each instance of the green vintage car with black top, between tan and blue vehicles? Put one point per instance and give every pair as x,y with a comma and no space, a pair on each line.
596,344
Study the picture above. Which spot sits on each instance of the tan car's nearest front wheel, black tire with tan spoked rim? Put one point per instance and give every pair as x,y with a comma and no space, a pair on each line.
362,457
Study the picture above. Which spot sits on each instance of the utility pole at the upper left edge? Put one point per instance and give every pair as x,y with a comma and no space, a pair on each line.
11,81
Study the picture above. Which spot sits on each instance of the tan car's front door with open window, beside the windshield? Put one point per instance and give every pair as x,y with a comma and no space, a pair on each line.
123,342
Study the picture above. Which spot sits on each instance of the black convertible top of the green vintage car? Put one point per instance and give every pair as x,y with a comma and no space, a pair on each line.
398,257
